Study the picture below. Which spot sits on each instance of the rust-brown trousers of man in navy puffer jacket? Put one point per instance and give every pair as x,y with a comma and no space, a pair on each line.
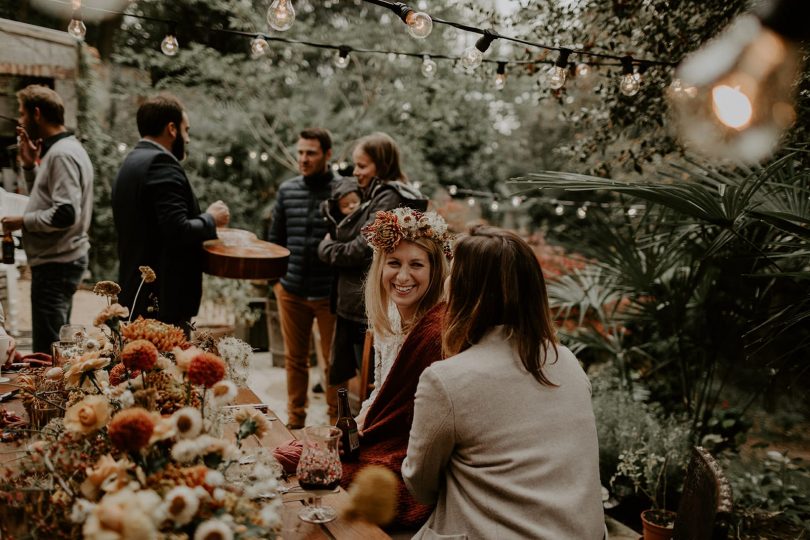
296,314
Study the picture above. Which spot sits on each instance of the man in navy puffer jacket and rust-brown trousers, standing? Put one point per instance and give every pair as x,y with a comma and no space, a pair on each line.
303,293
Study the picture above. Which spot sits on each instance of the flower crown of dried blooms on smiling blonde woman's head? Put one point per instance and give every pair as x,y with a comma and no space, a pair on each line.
390,228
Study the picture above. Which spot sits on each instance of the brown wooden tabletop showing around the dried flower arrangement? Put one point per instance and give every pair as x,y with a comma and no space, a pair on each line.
293,528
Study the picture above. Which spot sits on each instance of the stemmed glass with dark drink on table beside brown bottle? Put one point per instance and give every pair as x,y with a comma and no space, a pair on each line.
319,471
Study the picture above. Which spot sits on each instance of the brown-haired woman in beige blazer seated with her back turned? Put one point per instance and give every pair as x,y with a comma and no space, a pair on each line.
503,439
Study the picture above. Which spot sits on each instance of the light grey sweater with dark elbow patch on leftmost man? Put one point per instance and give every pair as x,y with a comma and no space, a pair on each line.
58,213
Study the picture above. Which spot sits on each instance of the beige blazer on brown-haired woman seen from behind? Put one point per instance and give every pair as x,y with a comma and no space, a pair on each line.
501,455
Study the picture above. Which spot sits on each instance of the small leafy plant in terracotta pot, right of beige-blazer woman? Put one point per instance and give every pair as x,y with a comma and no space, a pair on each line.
647,473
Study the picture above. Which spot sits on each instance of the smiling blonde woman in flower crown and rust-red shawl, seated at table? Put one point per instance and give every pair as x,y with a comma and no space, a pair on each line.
403,292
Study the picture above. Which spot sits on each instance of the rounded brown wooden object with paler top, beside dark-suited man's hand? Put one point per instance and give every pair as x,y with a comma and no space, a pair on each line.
239,254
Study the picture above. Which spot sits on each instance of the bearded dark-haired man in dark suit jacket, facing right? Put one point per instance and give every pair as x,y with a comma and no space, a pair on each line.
158,218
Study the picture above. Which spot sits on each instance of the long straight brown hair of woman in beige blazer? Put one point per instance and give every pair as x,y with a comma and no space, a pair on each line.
497,280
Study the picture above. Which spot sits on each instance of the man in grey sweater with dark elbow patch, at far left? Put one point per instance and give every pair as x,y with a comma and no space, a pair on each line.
59,177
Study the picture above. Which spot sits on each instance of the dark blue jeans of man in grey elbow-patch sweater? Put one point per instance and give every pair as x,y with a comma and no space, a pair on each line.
52,288
